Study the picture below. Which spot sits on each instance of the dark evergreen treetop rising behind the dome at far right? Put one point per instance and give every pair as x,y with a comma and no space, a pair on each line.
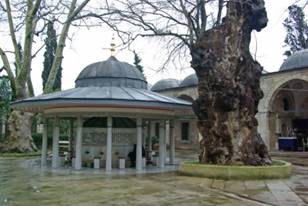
297,30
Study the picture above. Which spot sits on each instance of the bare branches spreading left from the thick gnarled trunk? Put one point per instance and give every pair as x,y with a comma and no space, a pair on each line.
176,24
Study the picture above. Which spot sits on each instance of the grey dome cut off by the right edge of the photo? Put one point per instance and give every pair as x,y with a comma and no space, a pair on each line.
296,61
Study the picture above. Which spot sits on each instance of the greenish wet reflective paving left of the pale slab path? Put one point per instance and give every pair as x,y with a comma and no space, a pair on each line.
24,183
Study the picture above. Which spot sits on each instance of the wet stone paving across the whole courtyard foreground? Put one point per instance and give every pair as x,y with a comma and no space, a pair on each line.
23,183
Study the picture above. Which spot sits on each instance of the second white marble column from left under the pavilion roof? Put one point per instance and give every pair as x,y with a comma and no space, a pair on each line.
55,143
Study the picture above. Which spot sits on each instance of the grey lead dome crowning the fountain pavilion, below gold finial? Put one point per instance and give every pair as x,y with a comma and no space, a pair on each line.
111,73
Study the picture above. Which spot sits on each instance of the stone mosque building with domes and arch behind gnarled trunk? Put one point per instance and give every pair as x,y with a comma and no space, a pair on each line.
282,112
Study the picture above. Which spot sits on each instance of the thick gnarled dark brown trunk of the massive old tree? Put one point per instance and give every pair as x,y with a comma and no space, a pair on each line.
229,88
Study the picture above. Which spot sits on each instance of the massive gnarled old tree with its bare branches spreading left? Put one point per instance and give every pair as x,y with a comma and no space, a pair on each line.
217,35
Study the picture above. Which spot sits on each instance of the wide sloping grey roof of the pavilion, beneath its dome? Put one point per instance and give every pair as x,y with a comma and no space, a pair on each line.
101,96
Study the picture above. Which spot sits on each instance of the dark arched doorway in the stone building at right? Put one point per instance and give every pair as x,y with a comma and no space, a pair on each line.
288,113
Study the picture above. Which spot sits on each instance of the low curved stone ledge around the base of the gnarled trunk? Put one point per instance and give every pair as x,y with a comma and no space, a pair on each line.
279,170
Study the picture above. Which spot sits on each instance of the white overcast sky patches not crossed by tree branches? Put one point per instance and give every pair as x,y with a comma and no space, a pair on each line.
88,47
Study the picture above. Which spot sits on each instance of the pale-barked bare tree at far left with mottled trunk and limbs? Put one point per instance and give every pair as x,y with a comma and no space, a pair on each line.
26,20
